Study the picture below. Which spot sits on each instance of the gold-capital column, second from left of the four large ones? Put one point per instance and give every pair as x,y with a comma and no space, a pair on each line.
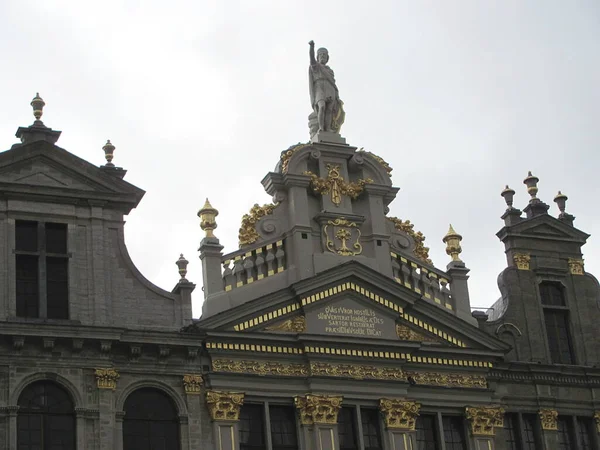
318,417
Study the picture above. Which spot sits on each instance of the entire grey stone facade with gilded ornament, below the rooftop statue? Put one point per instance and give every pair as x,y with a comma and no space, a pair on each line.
329,329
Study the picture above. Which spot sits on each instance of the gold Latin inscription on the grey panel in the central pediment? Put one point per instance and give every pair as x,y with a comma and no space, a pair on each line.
354,321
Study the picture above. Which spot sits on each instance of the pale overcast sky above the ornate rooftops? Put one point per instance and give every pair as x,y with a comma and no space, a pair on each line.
200,98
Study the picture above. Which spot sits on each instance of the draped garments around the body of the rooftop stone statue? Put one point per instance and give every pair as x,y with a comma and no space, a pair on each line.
322,87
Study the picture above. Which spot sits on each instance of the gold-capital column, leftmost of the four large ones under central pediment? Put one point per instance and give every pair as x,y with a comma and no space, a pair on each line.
224,409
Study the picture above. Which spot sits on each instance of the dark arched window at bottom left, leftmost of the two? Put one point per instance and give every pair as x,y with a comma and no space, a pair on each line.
46,418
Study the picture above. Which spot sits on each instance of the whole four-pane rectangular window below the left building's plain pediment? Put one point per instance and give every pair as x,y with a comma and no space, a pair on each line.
42,268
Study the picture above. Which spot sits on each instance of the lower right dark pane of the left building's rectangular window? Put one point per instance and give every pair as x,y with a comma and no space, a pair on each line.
57,287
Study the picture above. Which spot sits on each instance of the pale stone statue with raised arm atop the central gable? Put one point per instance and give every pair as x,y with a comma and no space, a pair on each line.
328,111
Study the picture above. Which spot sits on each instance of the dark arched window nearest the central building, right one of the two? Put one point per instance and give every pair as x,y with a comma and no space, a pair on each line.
150,421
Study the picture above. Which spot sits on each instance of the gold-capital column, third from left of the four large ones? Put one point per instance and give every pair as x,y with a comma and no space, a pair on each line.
400,416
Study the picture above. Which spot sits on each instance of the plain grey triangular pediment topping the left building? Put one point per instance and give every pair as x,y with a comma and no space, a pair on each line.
26,168
